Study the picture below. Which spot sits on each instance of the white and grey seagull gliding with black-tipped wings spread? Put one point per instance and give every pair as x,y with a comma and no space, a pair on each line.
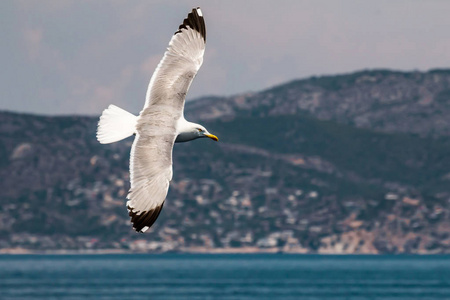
160,123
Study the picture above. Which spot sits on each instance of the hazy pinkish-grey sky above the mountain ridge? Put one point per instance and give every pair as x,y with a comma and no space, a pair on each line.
76,57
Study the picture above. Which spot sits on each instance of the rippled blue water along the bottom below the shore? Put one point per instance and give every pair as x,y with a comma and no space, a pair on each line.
179,276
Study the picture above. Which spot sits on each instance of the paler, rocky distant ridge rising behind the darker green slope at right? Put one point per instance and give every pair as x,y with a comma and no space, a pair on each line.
381,100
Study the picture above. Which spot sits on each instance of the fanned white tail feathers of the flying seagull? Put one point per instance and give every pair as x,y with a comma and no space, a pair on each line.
115,124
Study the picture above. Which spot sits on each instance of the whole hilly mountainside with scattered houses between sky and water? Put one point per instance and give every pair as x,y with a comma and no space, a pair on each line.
353,163
